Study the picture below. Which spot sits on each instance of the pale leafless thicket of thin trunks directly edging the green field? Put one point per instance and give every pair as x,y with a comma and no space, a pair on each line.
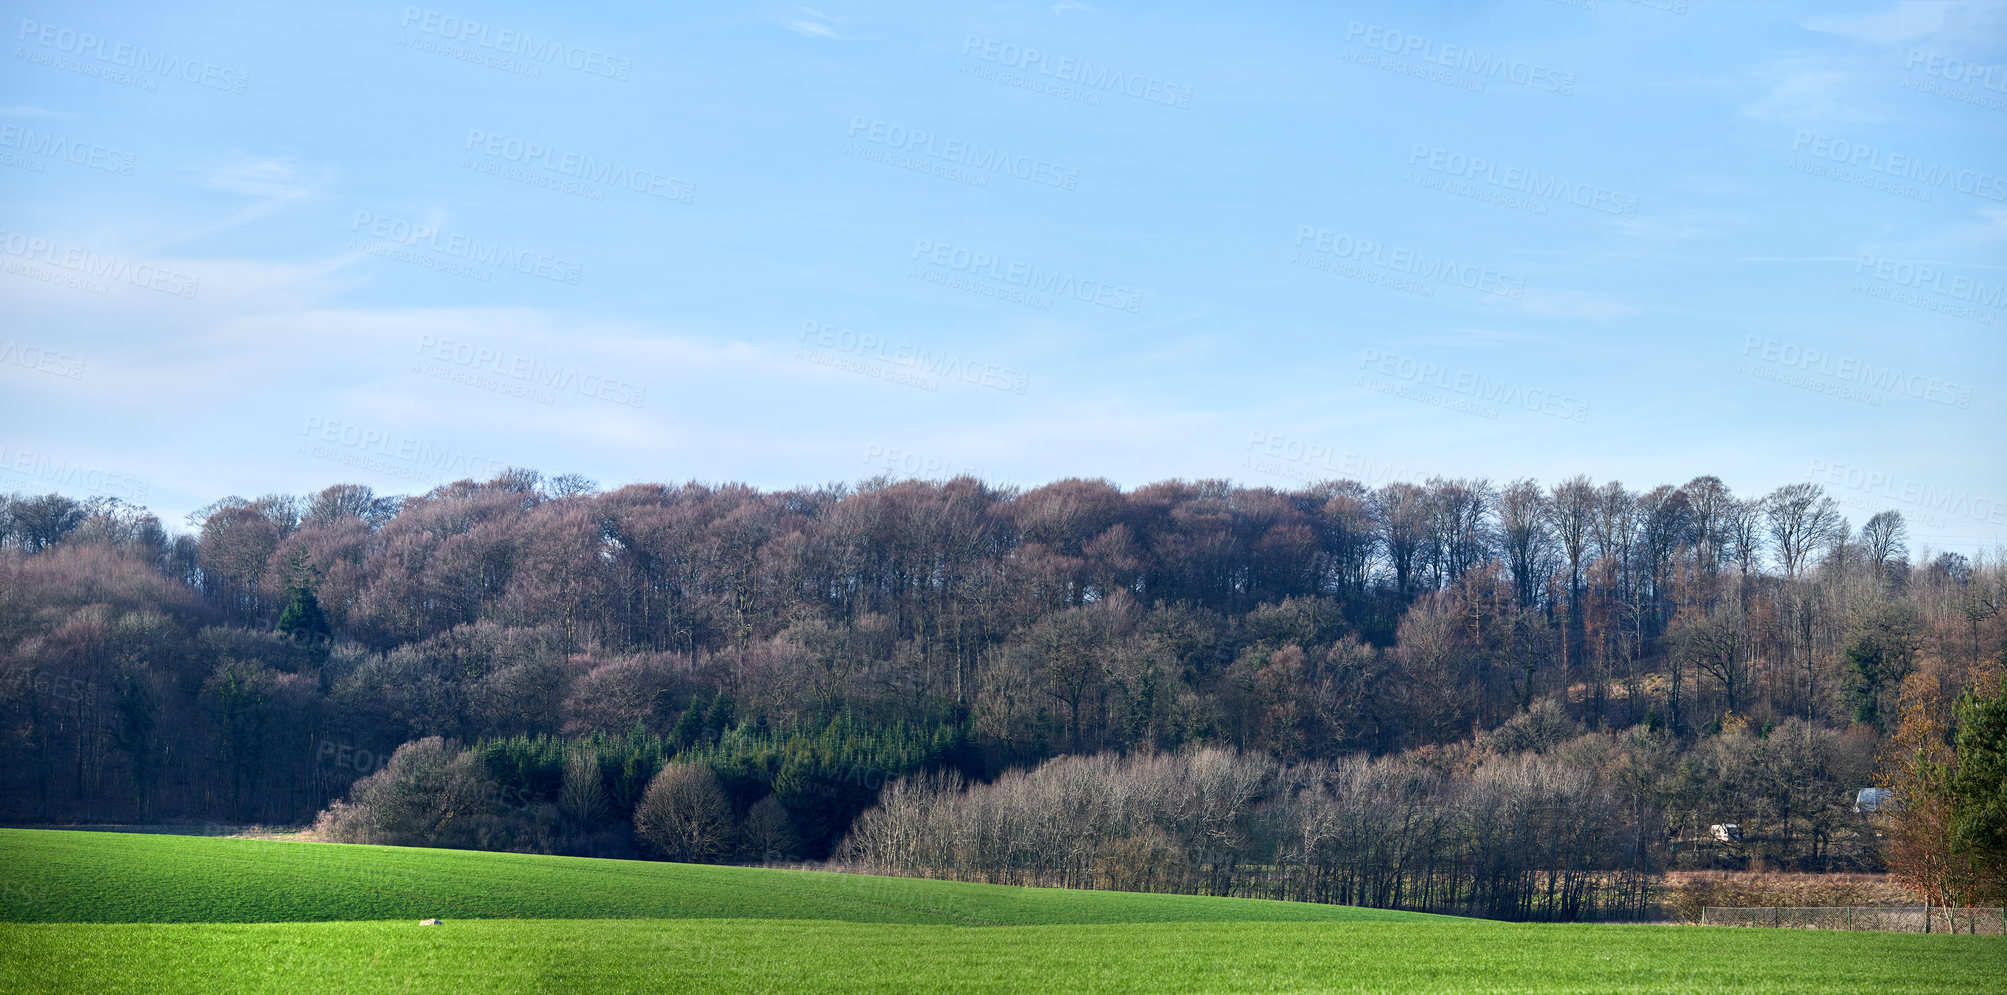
1516,838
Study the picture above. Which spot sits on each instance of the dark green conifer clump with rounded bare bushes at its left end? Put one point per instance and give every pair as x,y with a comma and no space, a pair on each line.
768,795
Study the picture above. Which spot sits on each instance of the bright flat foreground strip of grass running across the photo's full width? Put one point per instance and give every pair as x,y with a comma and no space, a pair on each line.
750,956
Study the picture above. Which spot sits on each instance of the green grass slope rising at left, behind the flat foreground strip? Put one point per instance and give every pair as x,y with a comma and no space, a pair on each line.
117,878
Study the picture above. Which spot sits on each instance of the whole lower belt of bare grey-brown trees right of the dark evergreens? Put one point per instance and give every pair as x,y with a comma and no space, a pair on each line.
1536,819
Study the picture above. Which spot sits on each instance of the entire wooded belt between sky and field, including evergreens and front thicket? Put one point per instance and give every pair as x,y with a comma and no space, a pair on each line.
1448,695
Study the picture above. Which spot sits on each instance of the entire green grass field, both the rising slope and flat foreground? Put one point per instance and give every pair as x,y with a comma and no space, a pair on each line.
105,912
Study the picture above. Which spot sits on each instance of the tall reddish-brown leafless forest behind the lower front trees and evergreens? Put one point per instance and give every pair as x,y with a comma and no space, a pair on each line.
258,667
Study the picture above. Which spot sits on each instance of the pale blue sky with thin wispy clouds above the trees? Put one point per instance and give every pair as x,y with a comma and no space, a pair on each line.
266,252
